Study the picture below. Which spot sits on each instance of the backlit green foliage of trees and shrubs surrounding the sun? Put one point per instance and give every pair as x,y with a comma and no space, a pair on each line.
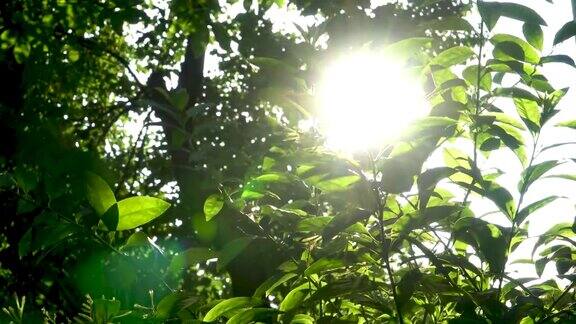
221,208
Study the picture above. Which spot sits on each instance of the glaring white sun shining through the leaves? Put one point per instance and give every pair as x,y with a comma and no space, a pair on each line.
366,101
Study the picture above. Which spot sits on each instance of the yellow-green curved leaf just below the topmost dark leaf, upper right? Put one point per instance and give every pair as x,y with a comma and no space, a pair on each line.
508,47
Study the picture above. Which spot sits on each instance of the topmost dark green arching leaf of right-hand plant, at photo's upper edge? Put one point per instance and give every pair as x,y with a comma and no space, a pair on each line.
492,11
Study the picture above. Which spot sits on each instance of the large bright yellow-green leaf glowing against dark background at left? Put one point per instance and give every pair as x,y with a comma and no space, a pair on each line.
139,210
